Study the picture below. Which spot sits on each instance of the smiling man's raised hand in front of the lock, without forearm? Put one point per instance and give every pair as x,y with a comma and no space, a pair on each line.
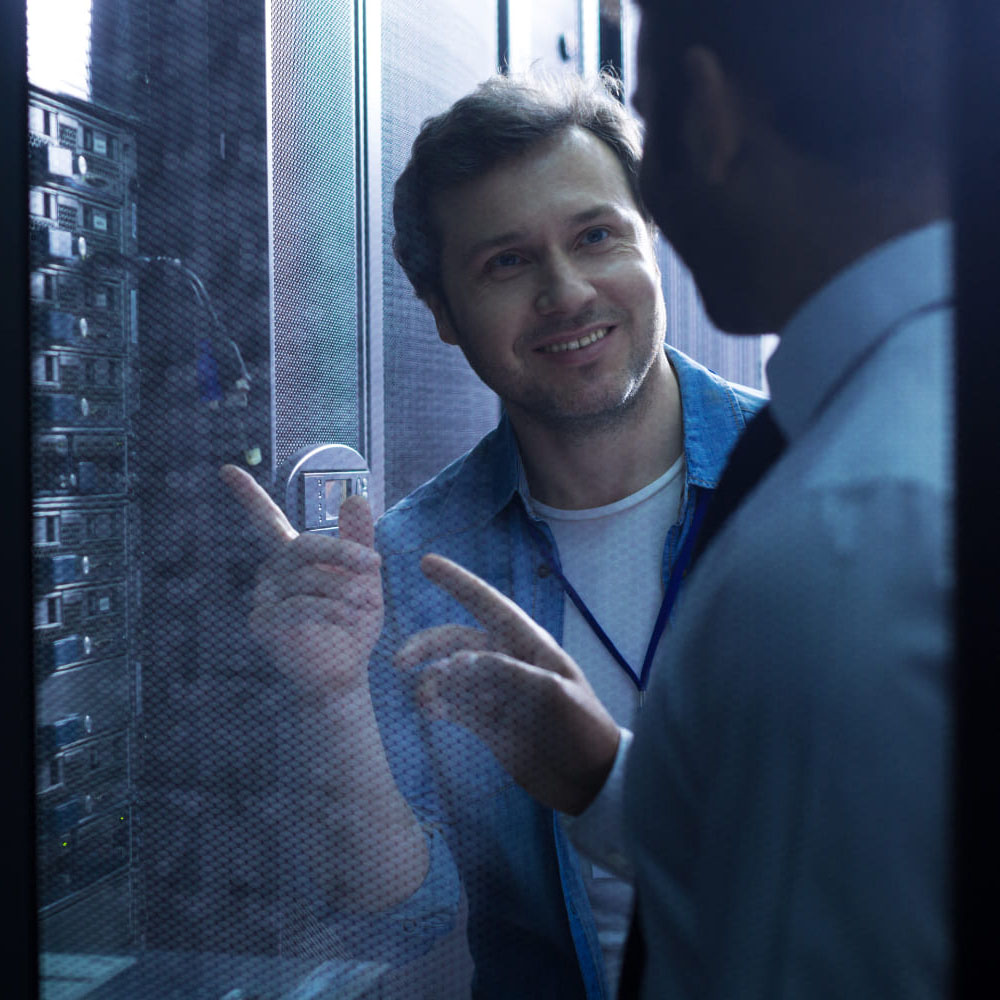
317,606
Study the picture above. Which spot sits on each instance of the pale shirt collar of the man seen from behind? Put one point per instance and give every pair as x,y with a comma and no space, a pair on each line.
832,330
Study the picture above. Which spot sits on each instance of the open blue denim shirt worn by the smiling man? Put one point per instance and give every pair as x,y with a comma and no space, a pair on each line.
530,928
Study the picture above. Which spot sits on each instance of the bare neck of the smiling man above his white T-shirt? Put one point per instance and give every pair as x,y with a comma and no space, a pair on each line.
575,469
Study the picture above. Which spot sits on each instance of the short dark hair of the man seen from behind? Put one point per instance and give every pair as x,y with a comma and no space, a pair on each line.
846,80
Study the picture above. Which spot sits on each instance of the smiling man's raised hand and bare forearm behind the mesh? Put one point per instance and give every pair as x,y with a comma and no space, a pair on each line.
318,610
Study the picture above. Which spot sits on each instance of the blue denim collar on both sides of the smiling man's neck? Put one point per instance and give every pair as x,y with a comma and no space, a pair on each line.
713,420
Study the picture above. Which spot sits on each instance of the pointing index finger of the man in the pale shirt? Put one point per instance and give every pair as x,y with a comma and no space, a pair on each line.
516,632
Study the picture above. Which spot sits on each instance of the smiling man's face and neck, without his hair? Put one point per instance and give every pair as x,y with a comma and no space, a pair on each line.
549,285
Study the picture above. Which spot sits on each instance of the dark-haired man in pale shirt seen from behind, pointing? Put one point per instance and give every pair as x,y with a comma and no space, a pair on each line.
786,802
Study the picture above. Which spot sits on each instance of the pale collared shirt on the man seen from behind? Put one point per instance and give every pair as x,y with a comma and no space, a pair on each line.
786,796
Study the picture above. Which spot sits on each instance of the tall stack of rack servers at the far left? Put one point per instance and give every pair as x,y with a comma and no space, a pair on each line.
83,225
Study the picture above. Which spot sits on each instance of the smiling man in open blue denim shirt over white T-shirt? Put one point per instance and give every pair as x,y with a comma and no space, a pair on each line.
520,224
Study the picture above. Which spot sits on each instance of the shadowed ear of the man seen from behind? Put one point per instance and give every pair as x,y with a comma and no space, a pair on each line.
713,125
